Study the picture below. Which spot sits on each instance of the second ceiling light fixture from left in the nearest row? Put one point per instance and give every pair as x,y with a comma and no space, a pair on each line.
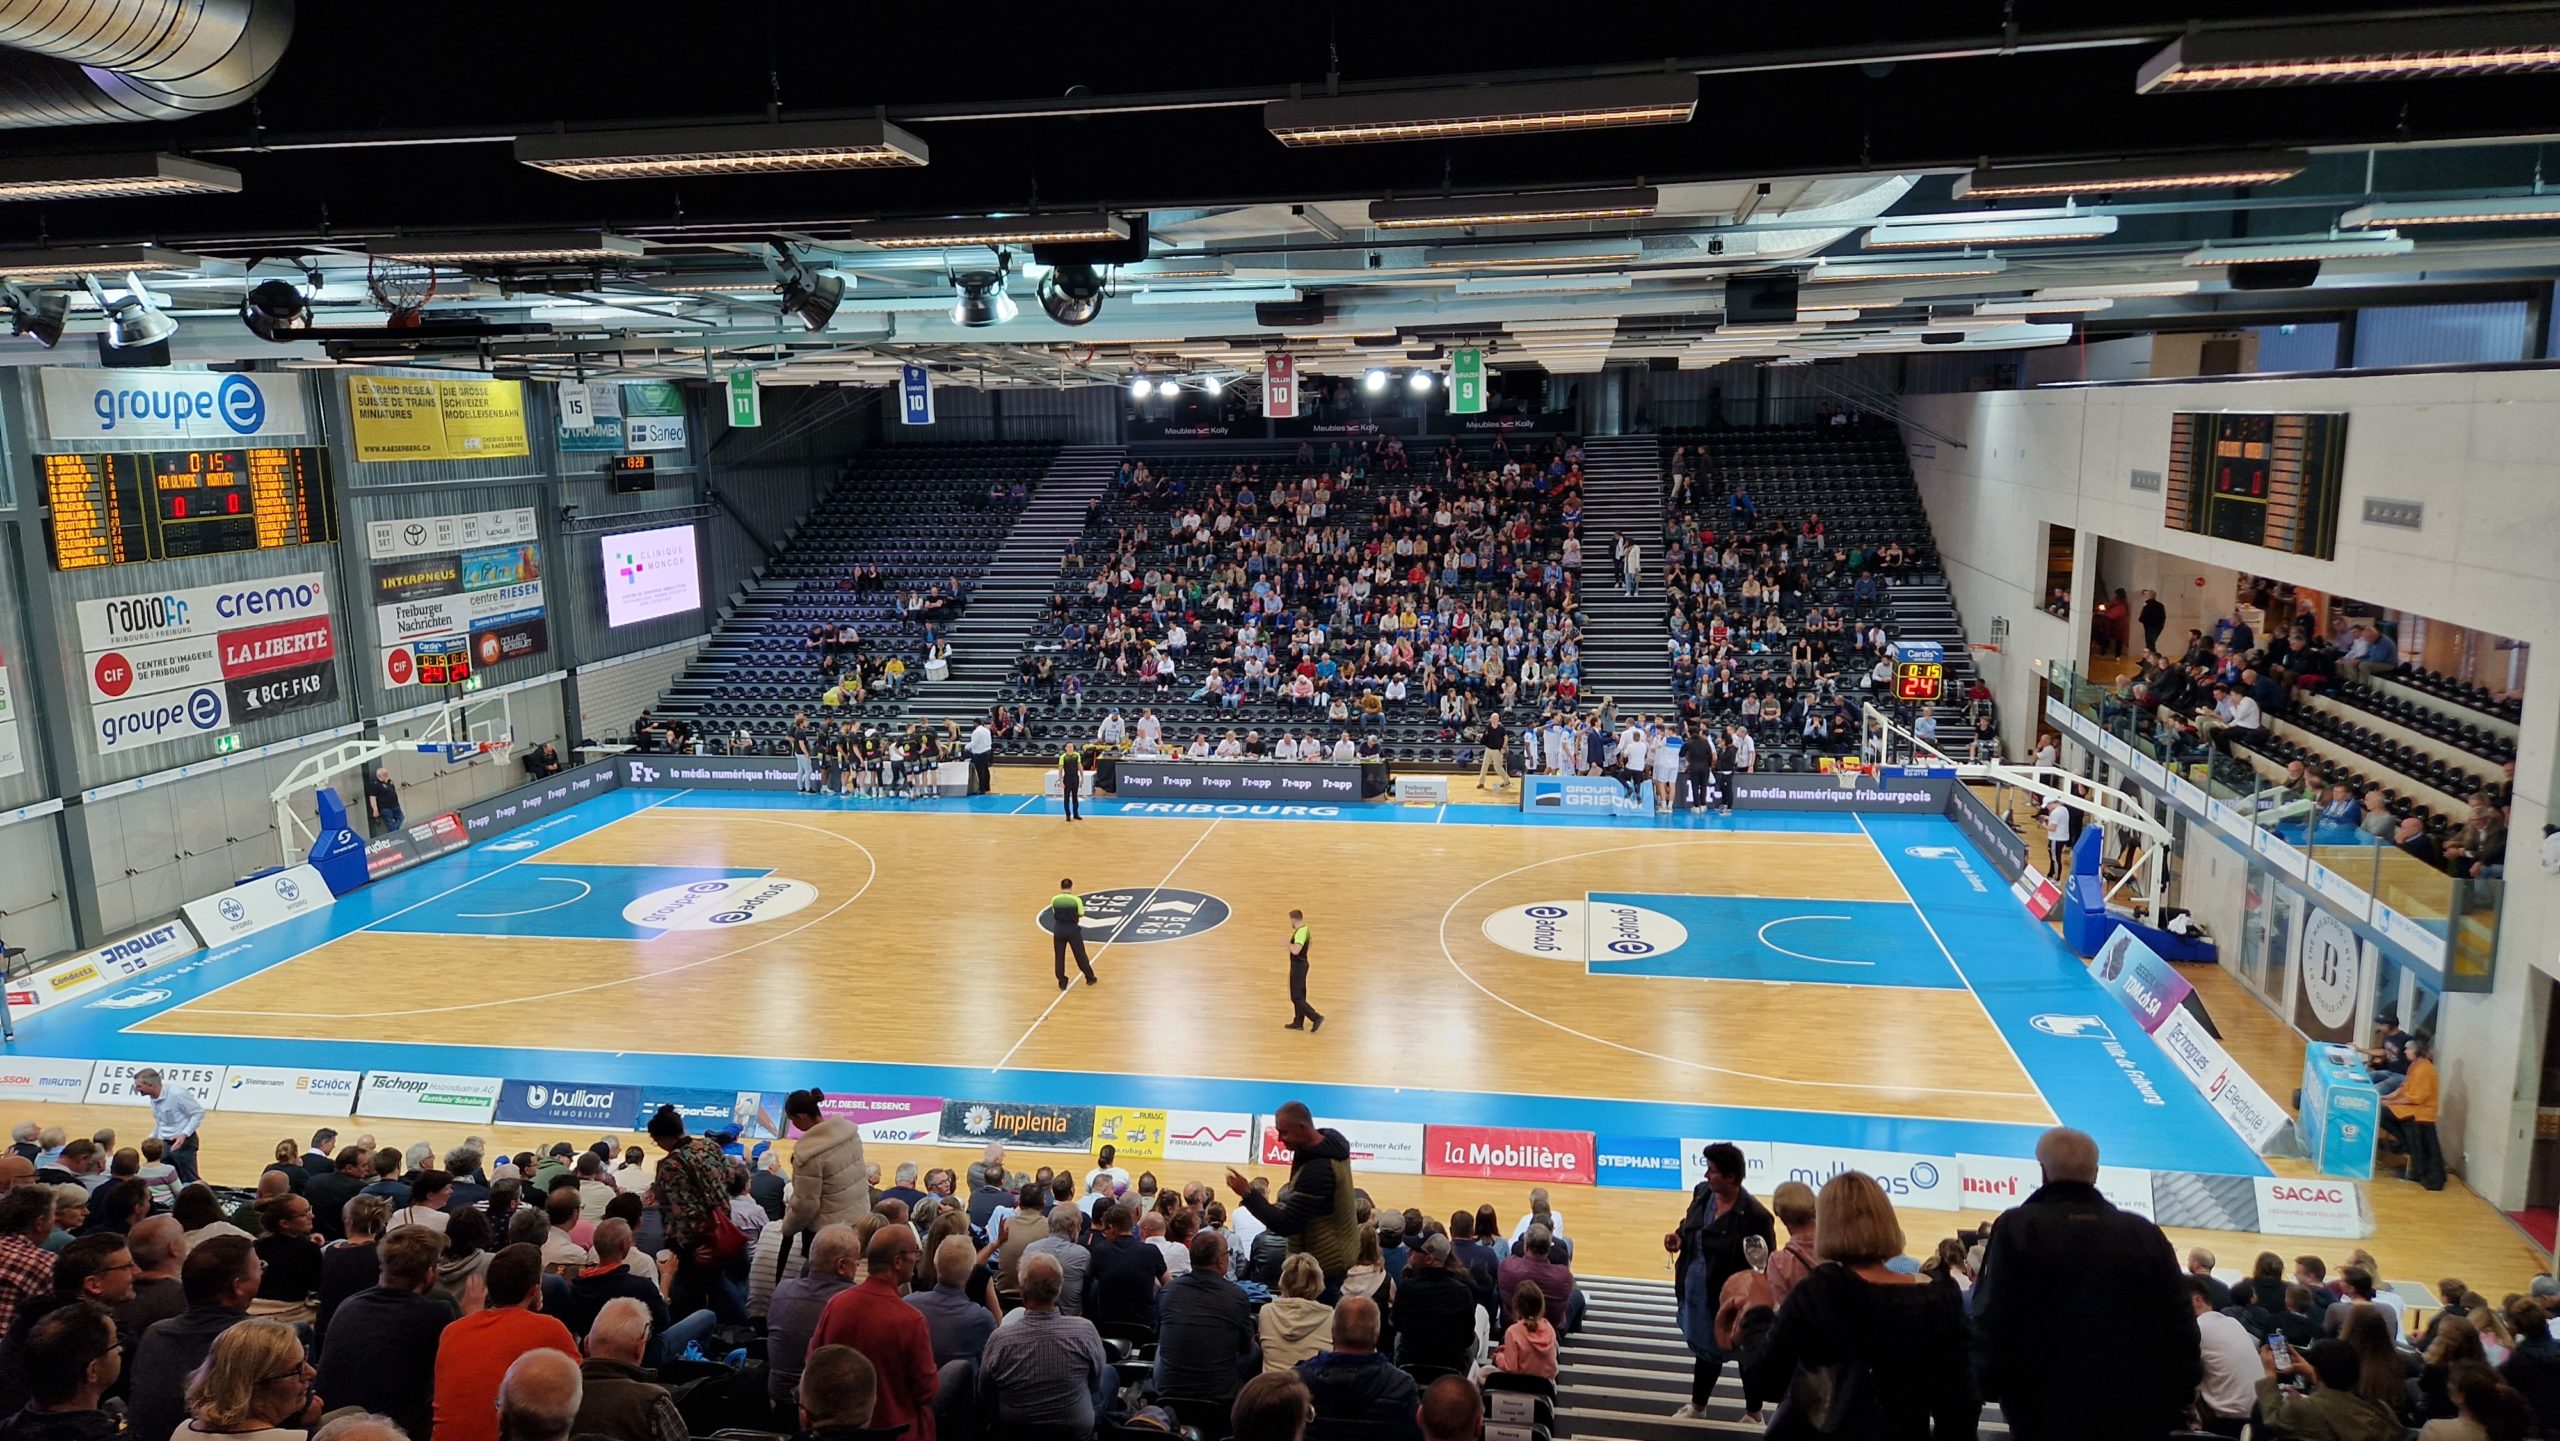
723,150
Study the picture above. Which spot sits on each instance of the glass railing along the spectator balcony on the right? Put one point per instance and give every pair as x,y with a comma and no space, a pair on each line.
2451,920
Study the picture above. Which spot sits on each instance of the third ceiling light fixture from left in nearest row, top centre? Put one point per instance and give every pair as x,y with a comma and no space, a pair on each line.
1484,111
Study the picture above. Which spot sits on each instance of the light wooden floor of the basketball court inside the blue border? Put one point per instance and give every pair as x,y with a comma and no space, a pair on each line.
923,948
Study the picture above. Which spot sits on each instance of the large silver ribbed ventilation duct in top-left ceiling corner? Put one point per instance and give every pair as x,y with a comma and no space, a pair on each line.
86,63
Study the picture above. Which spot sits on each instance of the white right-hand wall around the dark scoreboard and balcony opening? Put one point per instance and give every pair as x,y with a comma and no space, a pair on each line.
2479,449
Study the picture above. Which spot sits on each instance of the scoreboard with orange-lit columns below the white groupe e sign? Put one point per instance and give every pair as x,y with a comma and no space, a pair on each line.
168,506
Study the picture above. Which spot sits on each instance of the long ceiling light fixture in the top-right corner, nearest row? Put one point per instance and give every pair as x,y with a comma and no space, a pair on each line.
2354,50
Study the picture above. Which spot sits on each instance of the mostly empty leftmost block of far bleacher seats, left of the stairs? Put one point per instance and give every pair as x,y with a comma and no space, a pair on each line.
902,523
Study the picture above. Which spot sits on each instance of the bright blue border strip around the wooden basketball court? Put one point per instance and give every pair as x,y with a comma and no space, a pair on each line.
2003,953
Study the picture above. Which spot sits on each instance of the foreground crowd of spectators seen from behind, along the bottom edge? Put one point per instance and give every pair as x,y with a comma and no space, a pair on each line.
652,1294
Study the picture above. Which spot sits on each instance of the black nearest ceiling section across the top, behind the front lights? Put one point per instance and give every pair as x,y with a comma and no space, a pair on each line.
475,68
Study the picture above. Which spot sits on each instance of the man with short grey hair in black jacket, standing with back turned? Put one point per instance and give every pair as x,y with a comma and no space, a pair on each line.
2067,1253
